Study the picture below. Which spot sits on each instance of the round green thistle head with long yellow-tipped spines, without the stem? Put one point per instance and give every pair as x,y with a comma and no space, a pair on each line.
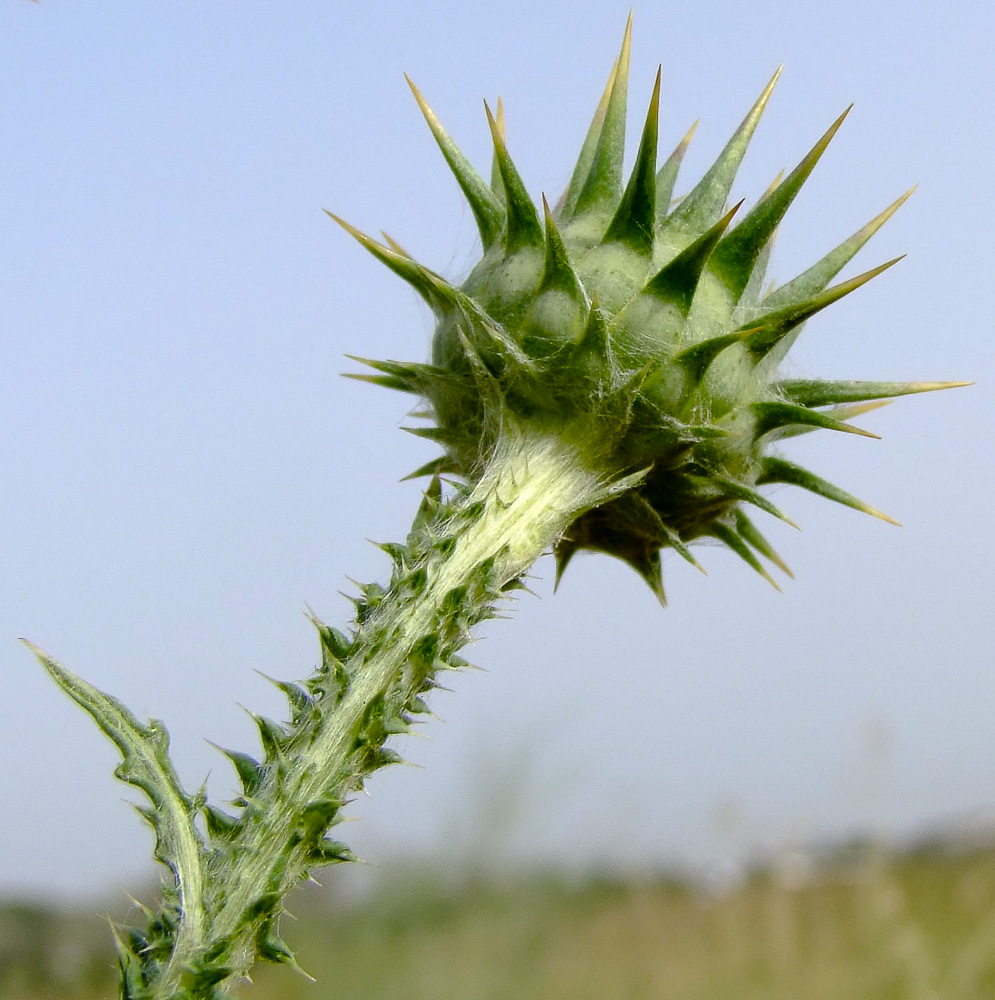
644,332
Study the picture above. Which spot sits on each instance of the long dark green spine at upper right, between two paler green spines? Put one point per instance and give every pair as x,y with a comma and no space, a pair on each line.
736,255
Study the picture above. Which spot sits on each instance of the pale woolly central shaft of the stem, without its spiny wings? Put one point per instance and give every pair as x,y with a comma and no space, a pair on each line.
533,486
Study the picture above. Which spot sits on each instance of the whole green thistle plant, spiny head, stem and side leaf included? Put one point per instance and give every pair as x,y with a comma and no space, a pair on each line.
605,378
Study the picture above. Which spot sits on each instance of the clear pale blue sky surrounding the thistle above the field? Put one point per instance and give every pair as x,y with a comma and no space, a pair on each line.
184,470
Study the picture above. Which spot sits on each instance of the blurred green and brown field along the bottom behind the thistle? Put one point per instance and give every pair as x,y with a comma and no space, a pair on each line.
864,924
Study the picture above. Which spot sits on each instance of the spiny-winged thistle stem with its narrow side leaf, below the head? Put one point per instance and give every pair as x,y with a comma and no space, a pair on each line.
222,905
